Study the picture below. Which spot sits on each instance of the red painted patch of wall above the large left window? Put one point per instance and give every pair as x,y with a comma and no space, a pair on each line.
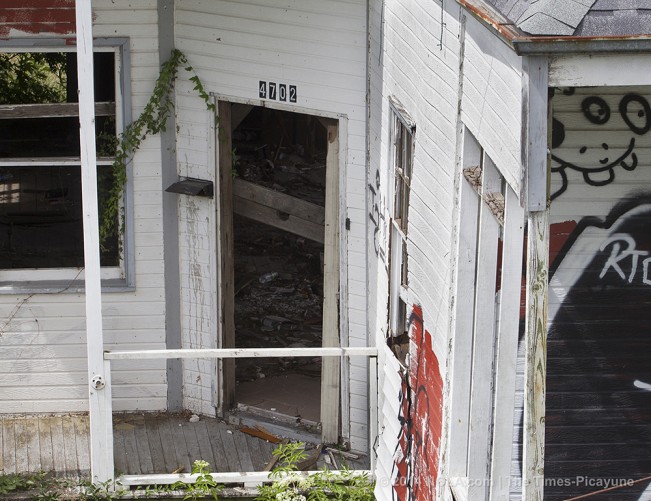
37,17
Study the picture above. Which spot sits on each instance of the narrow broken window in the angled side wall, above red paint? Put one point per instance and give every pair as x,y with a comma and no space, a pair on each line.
401,155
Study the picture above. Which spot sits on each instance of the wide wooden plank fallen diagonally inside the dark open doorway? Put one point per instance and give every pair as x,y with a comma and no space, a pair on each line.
279,201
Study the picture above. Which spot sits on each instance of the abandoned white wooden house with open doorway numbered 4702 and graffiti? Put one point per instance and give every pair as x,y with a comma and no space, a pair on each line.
431,216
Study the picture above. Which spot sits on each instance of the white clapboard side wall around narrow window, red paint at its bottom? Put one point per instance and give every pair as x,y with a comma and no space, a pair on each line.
414,57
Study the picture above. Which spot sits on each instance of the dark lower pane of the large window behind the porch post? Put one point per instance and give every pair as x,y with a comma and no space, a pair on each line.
41,218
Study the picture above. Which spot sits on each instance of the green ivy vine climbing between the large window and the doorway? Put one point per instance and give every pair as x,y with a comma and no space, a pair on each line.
152,120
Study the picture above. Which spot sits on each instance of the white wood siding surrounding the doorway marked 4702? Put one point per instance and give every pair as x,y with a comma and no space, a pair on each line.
319,46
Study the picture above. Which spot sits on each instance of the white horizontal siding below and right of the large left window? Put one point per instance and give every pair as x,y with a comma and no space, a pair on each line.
42,336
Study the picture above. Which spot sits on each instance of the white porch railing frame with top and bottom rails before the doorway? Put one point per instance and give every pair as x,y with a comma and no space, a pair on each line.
104,470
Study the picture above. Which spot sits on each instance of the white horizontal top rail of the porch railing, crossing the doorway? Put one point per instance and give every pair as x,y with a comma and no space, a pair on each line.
240,353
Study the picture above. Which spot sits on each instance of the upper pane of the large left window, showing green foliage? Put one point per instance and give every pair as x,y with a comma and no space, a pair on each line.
50,80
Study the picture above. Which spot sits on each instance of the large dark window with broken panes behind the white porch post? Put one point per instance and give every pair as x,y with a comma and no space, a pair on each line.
40,164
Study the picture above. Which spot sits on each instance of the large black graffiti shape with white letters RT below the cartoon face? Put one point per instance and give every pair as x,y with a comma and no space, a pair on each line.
598,409
